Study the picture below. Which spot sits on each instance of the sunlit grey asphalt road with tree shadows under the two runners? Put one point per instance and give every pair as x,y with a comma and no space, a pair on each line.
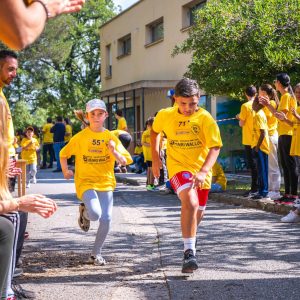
243,253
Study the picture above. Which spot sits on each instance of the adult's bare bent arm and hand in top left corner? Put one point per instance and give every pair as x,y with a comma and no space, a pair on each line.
21,25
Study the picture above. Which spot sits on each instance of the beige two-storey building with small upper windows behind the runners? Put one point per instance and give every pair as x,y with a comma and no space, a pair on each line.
137,66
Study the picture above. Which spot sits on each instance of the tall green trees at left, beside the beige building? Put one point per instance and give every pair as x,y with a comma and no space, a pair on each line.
61,70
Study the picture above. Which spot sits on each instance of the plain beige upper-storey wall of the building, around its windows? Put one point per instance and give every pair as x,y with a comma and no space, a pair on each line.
145,63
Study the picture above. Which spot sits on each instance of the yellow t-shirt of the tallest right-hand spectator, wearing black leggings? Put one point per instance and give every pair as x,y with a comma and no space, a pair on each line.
287,102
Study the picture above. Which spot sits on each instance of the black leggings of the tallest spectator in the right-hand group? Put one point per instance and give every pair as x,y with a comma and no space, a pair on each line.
288,164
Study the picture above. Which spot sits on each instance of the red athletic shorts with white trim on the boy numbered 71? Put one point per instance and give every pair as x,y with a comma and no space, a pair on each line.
182,181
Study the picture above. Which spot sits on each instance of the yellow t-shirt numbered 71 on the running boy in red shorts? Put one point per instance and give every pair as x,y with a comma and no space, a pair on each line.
189,139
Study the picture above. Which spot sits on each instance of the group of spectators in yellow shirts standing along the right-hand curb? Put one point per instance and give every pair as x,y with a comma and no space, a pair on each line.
271,136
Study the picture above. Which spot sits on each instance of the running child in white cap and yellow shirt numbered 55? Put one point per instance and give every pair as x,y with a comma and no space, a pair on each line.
95,149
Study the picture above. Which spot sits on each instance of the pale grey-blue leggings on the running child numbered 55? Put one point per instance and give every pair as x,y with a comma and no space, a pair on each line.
99,207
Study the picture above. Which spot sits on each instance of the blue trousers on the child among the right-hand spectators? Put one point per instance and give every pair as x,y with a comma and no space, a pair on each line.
262,168
